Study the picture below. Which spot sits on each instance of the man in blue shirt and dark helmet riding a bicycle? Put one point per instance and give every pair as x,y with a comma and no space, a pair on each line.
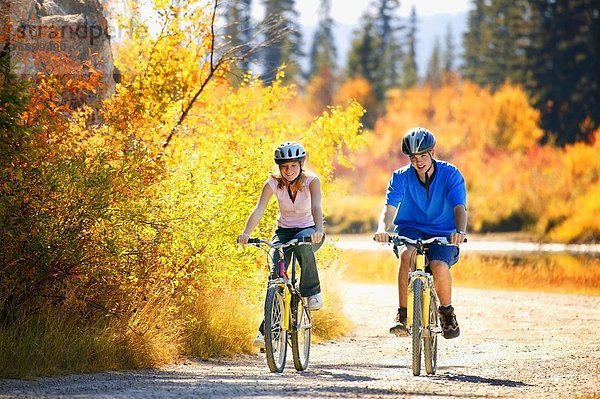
424,199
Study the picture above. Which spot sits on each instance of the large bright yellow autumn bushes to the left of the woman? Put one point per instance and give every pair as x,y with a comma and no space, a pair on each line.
141,245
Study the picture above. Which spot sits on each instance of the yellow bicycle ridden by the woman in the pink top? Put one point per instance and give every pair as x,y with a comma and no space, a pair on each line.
285,312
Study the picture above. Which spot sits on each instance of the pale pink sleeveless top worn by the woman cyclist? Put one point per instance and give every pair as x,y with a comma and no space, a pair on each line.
297,213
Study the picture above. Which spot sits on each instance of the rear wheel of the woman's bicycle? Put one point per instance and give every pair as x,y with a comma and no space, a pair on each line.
301,331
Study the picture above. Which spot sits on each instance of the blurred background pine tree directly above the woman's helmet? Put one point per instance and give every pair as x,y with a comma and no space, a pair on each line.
284,41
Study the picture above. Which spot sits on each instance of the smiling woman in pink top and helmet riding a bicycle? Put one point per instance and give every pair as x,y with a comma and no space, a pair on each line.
300,215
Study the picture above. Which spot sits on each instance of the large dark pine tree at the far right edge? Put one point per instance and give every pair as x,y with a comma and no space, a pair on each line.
563,67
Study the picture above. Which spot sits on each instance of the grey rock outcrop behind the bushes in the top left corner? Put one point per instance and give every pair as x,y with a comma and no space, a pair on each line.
43,30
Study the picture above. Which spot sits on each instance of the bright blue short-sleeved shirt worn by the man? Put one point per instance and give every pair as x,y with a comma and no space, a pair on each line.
430,210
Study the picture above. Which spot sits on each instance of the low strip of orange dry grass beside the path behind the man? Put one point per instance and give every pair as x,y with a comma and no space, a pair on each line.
549,273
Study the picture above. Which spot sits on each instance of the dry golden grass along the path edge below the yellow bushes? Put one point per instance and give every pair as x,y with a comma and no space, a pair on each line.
222,322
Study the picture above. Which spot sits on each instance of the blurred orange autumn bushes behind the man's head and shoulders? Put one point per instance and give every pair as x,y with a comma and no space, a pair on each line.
512,181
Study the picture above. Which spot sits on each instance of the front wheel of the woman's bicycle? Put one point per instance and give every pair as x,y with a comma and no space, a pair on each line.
275,335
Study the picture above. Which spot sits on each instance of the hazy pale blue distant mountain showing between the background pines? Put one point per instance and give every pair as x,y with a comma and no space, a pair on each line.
428,29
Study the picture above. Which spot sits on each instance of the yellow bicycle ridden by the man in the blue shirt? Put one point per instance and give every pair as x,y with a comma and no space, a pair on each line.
422,304
